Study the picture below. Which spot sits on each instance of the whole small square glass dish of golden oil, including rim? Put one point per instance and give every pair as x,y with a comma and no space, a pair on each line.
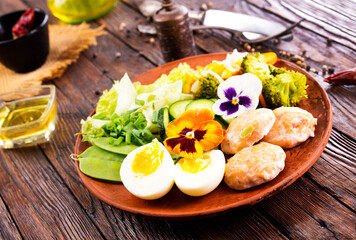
27,116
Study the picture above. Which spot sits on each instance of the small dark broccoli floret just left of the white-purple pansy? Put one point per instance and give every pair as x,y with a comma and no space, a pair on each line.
208,87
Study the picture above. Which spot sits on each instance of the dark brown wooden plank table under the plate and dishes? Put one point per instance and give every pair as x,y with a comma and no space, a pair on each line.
42,197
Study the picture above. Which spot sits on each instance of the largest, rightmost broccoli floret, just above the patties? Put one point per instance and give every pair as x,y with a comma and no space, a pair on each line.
285,89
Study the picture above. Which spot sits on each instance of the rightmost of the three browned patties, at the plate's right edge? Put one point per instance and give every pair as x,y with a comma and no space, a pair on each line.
293,125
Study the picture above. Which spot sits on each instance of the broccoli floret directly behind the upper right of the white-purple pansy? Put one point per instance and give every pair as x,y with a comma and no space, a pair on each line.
255,63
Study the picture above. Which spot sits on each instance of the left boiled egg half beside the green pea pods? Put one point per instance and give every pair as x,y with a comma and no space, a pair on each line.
147,172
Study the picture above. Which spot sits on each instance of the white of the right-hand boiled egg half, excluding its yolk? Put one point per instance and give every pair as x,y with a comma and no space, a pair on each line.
205,181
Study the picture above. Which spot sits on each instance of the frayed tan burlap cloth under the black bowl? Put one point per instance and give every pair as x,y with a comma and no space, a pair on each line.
66,43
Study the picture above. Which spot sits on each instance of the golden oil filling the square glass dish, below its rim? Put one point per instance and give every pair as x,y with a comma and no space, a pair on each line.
25,122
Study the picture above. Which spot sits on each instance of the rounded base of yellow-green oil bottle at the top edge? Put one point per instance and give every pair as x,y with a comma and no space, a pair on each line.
76,11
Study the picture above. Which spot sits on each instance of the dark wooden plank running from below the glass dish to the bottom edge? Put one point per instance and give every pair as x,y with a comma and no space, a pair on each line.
38,200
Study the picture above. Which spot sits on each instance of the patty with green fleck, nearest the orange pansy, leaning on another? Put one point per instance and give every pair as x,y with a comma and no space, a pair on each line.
247,129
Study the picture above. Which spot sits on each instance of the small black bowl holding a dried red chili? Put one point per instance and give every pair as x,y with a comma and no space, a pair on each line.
28,52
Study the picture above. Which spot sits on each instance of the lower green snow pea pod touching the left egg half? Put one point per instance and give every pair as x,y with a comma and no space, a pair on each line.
98,163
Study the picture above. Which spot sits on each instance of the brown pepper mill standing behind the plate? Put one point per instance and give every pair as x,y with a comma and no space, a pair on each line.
174,34
